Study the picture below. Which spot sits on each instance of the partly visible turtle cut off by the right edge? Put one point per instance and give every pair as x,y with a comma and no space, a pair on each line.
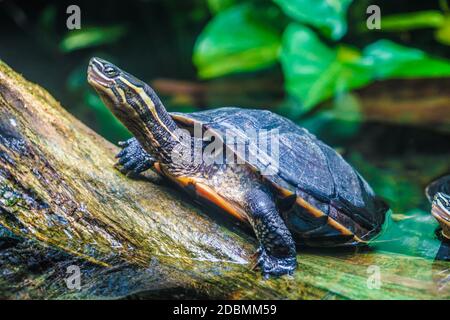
438,193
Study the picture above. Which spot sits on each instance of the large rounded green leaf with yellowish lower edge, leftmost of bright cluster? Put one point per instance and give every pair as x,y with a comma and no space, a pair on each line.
239,39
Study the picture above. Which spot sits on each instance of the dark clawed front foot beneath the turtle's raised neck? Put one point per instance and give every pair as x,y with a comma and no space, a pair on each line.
133,158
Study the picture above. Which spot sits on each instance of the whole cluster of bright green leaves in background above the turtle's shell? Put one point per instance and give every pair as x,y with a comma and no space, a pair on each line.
248,37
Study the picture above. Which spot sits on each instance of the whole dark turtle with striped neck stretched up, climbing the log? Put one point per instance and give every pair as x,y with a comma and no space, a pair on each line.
297,191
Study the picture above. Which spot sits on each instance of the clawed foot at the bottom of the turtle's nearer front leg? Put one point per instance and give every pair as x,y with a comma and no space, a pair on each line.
274,266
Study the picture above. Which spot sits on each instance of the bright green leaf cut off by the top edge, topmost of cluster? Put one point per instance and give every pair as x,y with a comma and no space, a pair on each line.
326,15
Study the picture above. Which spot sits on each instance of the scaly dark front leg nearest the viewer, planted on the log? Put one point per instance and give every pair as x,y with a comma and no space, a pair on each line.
277,254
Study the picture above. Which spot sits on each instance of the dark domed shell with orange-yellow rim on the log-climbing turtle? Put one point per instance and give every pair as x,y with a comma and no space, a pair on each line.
333,203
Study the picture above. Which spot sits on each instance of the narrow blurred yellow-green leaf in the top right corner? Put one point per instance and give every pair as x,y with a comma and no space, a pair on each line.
412,21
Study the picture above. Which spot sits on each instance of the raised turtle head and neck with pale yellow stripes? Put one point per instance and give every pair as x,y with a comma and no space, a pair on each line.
133,102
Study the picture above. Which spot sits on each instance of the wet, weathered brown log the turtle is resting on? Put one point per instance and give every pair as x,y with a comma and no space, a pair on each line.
64,204
